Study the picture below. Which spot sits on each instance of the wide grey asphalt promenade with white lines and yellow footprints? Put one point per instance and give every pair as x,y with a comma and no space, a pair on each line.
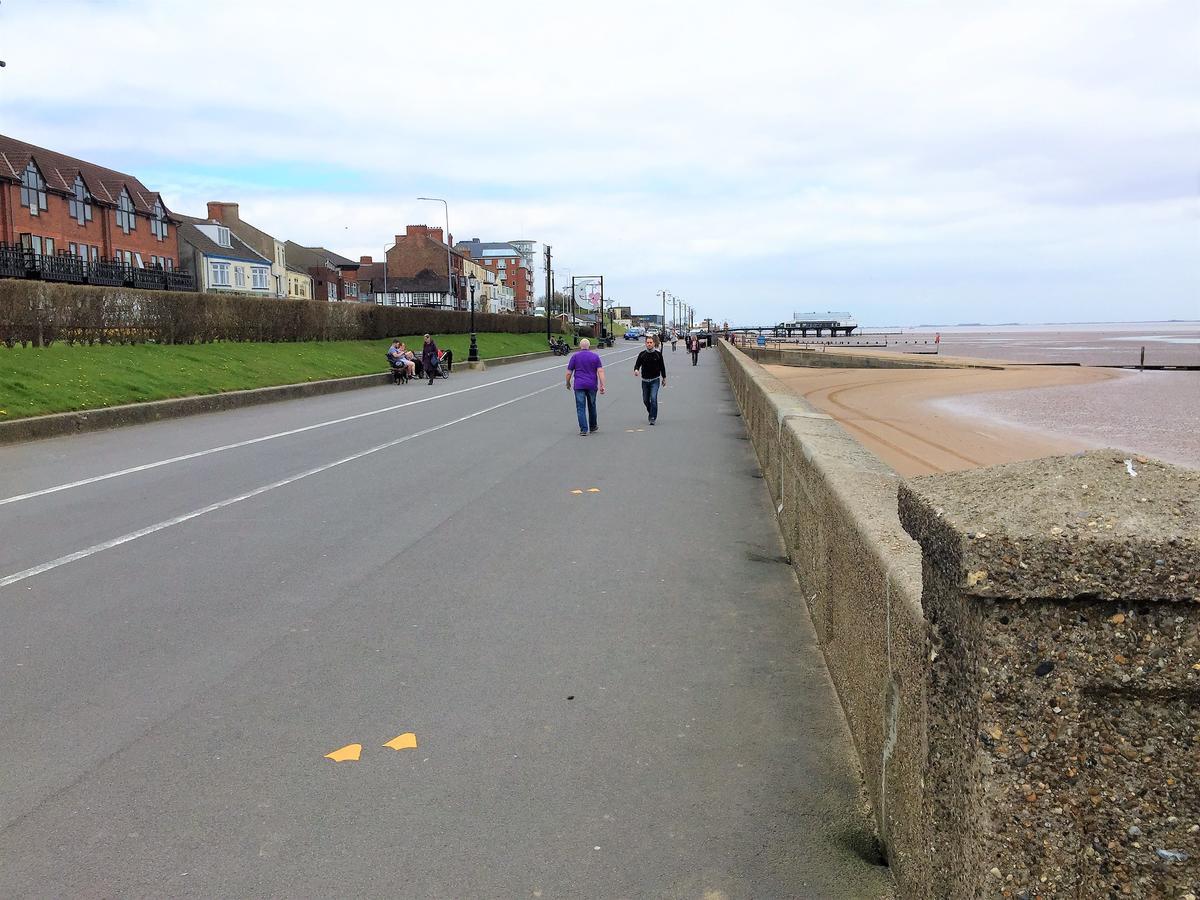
614,692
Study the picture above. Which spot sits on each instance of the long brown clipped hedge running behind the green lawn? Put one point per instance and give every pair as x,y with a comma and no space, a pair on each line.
39,314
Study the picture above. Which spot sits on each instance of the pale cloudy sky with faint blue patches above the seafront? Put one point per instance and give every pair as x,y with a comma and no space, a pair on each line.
911,163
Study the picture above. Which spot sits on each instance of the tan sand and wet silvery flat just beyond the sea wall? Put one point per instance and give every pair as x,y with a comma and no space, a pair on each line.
922,422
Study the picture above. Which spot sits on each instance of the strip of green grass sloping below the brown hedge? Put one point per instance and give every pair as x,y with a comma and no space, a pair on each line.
62,379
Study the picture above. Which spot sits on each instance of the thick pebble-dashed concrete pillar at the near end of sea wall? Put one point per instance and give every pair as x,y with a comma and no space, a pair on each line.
1063,599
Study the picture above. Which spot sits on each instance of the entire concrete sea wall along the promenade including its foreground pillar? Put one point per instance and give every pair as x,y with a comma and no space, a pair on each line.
1017,651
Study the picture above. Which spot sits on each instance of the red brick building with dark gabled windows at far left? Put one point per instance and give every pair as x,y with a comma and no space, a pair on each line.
52,205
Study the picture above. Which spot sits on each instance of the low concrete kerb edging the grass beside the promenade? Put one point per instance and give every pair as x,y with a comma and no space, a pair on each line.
85,421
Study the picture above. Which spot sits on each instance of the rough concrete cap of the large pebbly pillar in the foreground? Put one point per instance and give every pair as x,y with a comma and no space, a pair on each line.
1097,525
